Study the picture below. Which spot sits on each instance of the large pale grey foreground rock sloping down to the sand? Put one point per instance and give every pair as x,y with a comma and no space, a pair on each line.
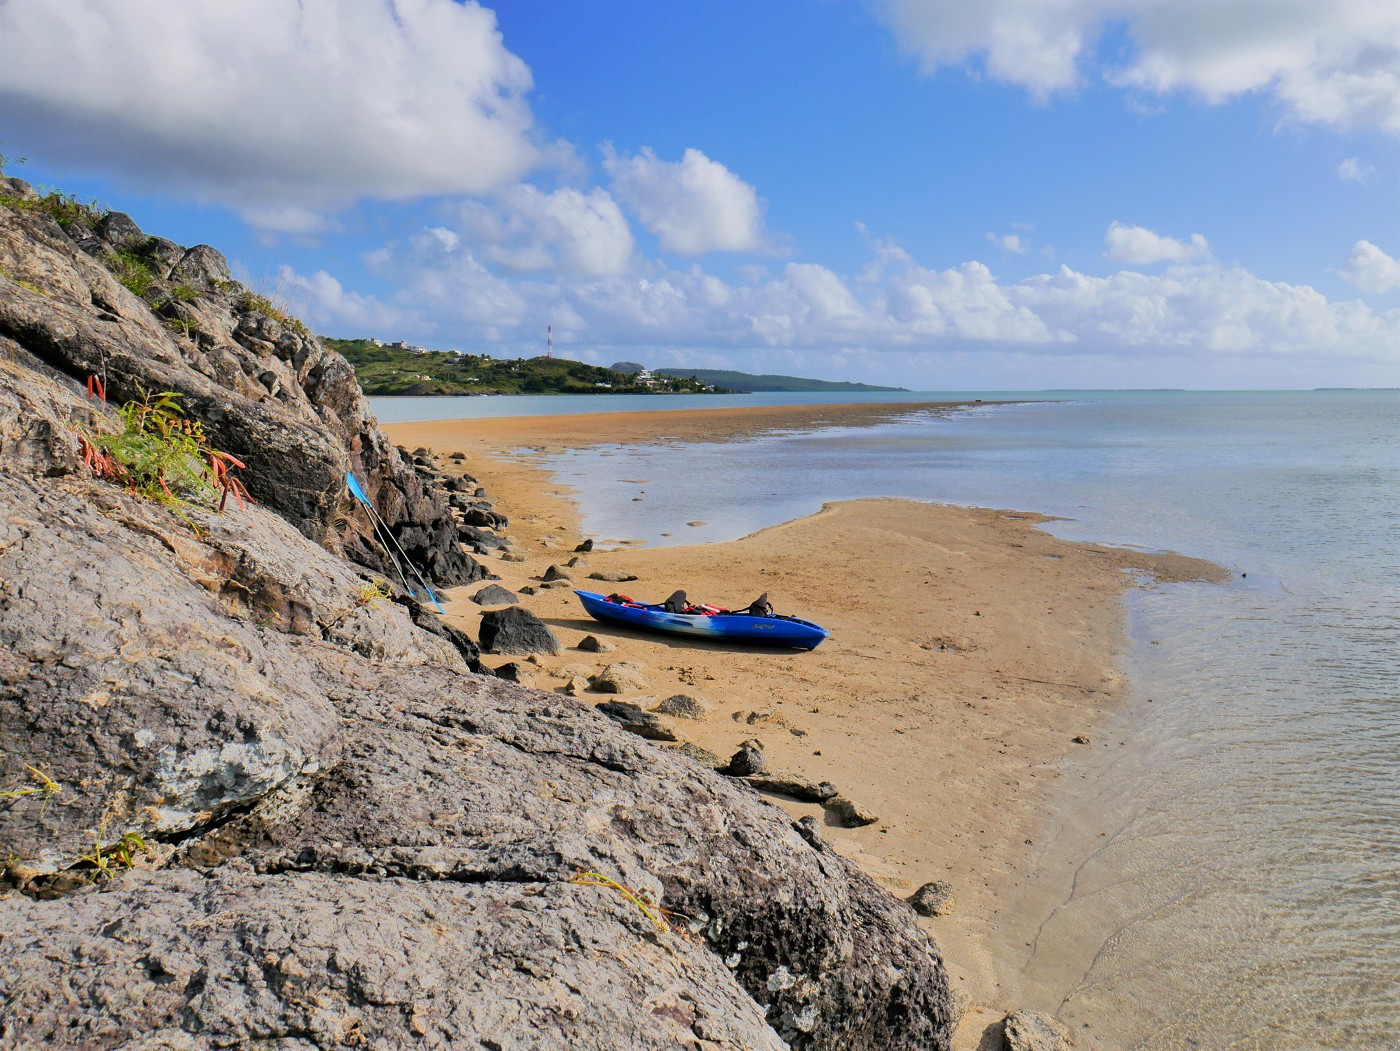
246,801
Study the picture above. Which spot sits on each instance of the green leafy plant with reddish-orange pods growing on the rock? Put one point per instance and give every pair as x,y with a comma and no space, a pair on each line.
162,456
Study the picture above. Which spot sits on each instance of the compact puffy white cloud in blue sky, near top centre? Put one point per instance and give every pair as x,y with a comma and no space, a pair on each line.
694,205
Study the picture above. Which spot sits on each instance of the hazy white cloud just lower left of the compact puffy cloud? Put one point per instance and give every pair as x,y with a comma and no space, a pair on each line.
568,232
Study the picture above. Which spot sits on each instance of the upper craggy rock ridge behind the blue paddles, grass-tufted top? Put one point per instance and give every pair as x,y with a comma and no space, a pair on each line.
264,388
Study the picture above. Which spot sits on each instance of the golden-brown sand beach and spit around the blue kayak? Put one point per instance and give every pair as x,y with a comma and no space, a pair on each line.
968,650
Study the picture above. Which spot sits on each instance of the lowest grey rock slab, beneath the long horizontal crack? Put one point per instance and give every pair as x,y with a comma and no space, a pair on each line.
334,962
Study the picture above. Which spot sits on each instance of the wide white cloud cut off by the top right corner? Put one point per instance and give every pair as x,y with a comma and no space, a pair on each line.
1332,62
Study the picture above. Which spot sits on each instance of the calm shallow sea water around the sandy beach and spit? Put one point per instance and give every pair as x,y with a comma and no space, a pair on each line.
1223,870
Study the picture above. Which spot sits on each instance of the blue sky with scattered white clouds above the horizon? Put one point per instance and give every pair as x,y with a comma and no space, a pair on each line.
941,195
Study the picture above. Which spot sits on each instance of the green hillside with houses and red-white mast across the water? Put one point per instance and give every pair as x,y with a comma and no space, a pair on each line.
384,370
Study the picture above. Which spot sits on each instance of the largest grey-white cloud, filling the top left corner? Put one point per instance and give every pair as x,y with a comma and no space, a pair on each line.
282,108
